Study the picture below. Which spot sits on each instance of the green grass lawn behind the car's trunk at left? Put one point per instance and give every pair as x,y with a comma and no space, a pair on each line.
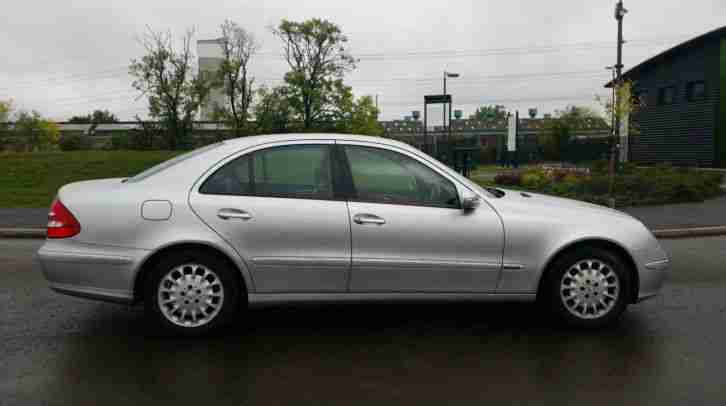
32,179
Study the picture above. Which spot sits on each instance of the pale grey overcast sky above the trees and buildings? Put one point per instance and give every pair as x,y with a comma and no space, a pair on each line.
70,57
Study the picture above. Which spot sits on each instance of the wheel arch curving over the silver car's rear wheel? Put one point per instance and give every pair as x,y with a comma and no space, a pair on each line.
148,264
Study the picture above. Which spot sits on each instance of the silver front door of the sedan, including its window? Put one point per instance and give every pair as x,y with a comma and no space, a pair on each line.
409,233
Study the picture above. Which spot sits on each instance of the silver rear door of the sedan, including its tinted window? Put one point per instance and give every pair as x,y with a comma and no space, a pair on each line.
277,206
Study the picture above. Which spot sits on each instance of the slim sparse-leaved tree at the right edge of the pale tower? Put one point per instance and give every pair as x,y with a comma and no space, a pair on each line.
238,47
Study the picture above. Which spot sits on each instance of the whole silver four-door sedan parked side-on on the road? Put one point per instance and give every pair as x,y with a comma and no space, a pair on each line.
300,218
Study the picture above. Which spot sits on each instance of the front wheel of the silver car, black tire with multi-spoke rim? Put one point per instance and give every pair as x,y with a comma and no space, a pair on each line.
589,287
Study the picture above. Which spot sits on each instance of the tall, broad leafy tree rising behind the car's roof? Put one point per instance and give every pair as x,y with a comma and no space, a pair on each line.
316,52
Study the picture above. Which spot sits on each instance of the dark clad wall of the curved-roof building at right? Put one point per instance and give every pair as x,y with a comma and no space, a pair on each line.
683,132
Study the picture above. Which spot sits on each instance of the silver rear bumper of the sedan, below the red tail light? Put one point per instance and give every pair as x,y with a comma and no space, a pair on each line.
91,271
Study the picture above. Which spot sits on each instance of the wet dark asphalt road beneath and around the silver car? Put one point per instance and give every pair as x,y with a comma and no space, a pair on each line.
669,350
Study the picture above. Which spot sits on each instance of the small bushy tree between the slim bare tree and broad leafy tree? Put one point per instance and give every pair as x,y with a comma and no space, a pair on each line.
273,111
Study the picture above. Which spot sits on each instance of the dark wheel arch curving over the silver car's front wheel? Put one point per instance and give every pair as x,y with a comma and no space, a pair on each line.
601,243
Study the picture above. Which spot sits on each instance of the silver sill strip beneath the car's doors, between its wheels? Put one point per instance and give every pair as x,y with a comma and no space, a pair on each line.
278,298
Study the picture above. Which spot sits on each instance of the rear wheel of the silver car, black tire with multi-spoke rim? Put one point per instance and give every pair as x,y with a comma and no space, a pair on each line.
200,294
